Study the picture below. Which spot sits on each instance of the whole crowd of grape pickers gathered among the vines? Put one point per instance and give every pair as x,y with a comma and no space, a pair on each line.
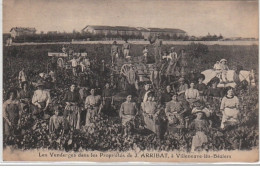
189,105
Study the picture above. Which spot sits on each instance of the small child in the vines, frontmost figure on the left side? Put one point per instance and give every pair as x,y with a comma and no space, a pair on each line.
57,122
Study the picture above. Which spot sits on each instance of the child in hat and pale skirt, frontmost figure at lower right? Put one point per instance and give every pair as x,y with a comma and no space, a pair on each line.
199,125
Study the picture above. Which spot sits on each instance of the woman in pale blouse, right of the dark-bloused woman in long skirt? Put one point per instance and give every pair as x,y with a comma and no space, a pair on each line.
92,104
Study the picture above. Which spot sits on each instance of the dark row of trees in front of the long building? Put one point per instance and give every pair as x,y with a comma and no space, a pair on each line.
85,36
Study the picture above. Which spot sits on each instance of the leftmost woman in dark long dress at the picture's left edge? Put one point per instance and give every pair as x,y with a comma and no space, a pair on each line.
10,114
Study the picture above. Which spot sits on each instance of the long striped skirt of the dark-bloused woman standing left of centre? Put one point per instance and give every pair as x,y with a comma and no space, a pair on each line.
73,116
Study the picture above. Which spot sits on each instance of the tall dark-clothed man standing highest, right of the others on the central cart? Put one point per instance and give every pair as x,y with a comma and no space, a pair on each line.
157,42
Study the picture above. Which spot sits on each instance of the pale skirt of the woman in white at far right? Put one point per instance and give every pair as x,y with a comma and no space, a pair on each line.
230,116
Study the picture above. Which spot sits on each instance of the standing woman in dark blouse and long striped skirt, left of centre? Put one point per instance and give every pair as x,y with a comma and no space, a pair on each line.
72,112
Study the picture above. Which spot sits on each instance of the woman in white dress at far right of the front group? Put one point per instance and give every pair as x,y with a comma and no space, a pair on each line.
229,108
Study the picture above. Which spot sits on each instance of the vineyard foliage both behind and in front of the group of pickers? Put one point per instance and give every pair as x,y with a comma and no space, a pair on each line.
35,59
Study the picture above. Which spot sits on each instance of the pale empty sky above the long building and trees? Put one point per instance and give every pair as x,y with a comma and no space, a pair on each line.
230,18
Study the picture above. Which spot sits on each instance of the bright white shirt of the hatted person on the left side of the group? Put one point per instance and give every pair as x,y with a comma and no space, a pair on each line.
41,96
